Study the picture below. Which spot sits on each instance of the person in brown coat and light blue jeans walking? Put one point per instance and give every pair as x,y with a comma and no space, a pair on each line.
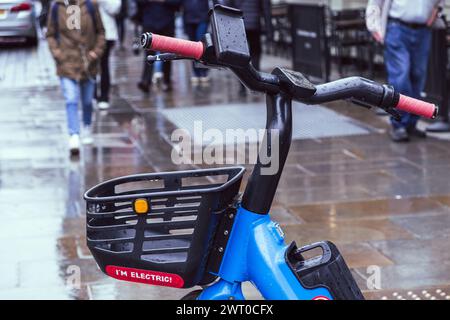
76,38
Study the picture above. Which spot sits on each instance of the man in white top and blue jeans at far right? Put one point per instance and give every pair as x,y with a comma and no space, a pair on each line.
404,27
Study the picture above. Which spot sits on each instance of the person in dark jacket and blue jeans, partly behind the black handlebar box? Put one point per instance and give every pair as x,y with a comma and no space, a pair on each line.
196,20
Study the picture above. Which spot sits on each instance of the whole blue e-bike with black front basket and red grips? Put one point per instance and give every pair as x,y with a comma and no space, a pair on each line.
188,228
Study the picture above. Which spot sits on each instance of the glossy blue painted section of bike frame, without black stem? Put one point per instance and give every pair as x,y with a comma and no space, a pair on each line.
256,252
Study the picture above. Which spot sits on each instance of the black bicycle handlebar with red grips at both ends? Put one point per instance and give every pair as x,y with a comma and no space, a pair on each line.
365,92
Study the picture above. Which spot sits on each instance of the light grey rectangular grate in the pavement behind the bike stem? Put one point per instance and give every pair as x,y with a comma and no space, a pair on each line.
309,121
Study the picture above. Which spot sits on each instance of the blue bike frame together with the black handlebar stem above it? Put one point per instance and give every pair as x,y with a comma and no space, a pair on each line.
256,250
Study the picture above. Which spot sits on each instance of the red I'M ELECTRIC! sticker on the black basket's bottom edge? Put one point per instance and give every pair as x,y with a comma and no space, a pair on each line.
145,276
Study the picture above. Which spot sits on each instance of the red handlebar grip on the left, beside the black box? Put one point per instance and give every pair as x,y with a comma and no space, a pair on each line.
185,48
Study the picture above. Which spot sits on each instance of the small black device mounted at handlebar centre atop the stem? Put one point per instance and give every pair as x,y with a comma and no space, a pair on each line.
295,83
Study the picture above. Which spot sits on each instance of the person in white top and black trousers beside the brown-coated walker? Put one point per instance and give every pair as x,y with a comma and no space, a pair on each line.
108,11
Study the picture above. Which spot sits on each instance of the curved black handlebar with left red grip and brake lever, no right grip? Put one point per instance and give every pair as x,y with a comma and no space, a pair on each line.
362,91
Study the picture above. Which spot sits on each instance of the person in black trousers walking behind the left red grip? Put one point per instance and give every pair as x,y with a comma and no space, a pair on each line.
157,16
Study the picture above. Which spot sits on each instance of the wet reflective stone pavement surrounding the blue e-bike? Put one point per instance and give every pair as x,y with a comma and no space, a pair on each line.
386,206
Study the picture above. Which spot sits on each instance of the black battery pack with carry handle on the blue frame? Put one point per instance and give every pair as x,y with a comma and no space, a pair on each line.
328,270
